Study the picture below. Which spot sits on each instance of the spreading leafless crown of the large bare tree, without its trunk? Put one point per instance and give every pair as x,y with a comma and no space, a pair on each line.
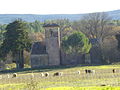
96,25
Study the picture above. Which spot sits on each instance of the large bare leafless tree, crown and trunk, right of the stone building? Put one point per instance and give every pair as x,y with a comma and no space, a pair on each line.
96,26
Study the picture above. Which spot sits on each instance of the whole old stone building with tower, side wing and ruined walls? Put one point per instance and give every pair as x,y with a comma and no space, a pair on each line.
50,53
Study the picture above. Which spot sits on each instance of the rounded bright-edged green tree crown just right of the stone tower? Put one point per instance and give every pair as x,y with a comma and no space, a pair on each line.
77,42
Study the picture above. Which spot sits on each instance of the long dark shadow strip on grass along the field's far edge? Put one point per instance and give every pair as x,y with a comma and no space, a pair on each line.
44,69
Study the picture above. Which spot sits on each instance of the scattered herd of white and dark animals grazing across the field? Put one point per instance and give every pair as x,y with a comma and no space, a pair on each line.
46,74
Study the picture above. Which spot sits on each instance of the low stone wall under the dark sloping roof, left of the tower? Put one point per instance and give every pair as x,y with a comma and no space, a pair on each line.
39,60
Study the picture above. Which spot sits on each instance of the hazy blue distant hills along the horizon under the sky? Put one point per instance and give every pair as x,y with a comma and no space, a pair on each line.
7,18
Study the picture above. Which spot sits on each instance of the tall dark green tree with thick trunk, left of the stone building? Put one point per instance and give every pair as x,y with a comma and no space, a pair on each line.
16,41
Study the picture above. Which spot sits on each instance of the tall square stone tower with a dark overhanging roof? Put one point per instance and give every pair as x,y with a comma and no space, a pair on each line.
52,40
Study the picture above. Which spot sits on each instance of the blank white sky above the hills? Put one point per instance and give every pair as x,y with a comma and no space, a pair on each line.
57,6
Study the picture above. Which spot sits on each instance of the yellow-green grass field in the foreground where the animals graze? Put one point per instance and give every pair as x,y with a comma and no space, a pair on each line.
31,79
